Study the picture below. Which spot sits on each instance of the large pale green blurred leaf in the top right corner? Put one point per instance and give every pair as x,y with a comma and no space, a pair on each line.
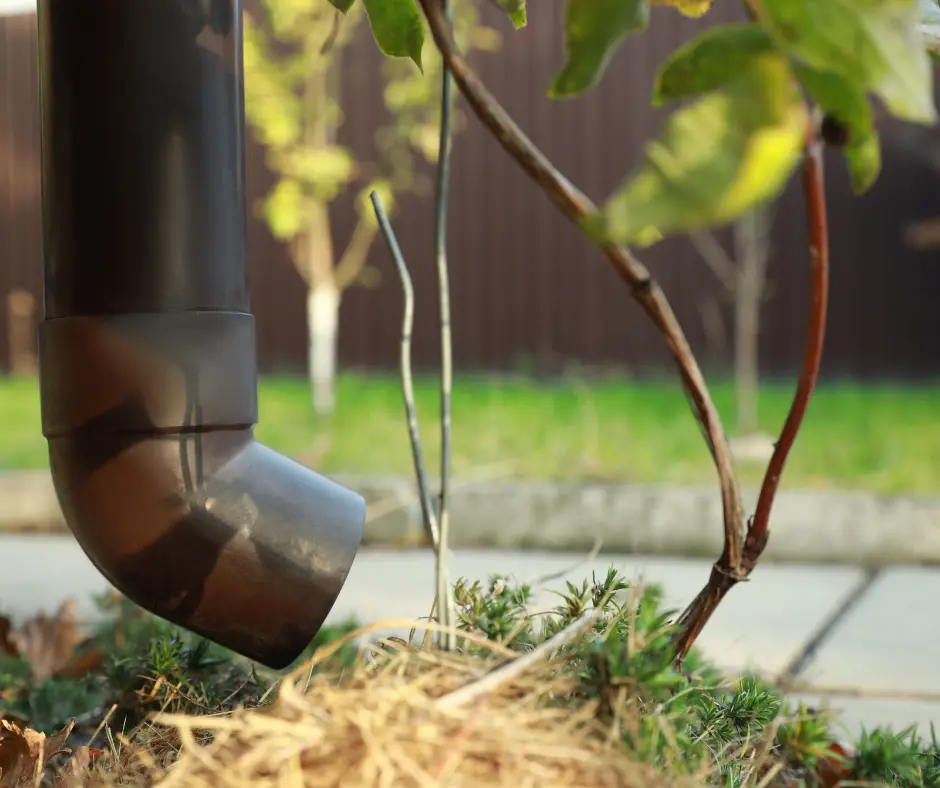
875,44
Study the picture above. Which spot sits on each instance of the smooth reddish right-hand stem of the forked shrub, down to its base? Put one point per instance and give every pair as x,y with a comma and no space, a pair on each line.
726,575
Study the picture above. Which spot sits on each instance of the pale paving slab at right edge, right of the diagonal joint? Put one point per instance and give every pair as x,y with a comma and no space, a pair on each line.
889,640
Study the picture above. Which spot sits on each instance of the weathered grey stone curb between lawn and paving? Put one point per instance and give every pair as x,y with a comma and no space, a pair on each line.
856,528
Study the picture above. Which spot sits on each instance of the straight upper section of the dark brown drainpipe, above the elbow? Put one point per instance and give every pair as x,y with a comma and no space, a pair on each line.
143,156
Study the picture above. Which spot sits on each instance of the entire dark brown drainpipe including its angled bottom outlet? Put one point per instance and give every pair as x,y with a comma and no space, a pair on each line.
147,352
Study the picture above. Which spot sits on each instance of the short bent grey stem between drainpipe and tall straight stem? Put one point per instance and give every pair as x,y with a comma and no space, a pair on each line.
407,380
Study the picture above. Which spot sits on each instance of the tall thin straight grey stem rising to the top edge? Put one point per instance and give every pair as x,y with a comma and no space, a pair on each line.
448,615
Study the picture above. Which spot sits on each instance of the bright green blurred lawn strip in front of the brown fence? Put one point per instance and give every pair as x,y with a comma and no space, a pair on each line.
884,438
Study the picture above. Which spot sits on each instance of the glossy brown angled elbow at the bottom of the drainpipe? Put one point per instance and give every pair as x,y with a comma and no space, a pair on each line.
149,420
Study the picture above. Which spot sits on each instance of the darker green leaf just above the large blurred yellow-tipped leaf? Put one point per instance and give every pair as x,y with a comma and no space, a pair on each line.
710,61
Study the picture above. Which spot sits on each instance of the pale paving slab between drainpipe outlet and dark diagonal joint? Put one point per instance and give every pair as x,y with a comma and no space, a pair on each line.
761,625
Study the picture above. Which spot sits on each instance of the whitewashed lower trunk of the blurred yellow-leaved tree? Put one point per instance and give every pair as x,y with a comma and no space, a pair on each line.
322,334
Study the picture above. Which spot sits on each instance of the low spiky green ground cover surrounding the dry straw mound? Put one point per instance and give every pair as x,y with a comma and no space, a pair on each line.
688,722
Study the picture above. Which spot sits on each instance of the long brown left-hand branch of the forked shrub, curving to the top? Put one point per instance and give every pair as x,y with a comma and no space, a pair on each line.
577,207
